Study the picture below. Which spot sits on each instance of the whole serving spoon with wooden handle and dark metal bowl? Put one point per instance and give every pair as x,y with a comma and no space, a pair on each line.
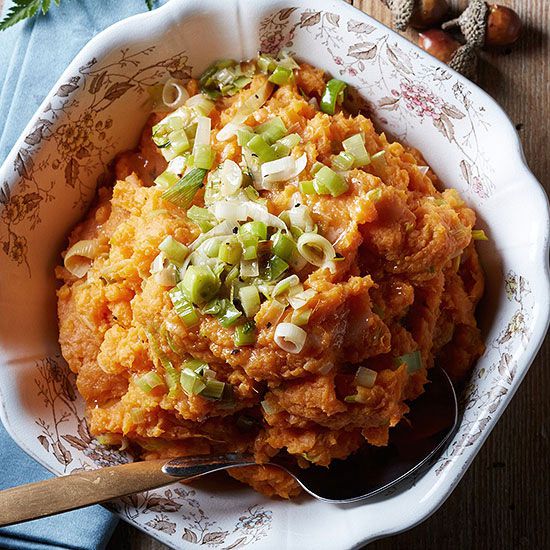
429,424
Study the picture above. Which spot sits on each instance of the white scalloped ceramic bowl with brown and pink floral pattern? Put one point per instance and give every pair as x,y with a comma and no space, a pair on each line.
98,108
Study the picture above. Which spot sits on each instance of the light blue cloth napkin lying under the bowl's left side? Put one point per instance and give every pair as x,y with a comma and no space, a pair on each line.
32,57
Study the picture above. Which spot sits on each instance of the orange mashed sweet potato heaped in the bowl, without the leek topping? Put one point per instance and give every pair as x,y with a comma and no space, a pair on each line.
409,280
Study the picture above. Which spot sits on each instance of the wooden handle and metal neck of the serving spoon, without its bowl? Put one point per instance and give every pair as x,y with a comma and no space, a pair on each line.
61,494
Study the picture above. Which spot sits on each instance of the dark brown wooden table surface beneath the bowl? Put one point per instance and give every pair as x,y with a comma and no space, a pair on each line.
503,502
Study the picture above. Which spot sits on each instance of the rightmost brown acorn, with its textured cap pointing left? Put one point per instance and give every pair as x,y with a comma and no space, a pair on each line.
485,24
